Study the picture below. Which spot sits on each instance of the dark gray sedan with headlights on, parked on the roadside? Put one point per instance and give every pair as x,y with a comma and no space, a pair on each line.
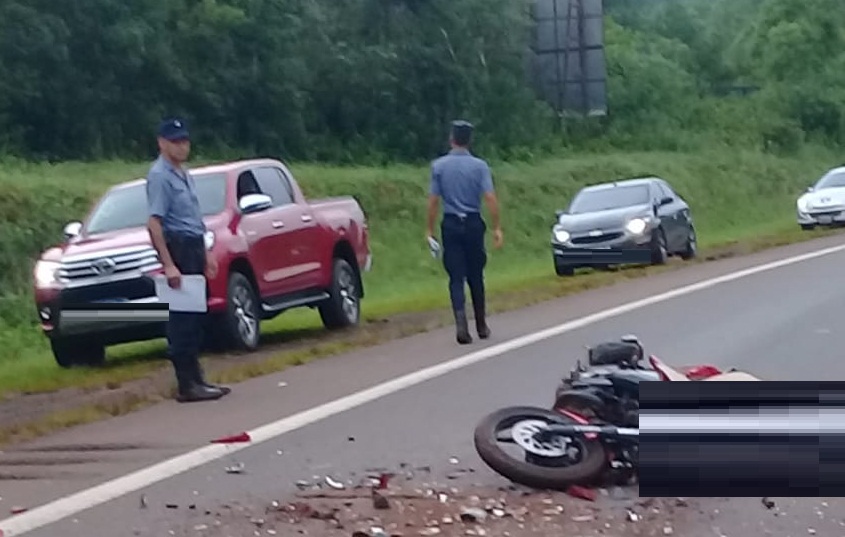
636,221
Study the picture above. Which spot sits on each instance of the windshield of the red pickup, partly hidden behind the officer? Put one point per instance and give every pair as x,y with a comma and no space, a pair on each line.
126,208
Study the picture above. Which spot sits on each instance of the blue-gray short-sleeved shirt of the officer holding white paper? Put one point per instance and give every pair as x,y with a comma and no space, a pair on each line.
172,196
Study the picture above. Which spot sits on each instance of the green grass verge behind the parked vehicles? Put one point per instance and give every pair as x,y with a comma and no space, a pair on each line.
735,196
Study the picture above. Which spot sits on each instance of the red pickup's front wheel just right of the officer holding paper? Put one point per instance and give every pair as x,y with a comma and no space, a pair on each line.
241,322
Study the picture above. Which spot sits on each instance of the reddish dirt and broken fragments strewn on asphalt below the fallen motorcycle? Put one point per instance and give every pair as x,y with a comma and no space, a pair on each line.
404,510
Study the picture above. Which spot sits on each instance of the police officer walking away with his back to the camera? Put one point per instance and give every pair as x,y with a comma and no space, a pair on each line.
461,179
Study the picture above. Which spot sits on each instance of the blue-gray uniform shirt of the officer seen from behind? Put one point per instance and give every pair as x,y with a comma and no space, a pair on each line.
460,179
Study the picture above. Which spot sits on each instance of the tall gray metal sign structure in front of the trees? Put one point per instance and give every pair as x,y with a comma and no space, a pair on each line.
568,62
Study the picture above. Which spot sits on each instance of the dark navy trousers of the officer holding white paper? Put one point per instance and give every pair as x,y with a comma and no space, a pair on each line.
185,329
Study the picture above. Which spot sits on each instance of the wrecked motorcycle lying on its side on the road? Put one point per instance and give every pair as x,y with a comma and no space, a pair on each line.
593,427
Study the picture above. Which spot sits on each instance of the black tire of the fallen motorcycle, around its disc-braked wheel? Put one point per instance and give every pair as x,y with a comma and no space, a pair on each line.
592,464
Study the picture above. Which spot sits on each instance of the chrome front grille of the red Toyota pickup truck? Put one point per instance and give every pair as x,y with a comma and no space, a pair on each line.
118,264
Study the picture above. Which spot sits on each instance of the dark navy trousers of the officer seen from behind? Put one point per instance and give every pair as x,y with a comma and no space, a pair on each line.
464,258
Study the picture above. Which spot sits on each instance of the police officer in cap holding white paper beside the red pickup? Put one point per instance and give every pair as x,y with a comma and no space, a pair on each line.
177,232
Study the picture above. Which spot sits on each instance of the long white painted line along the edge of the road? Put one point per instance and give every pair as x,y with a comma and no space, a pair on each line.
80,501
